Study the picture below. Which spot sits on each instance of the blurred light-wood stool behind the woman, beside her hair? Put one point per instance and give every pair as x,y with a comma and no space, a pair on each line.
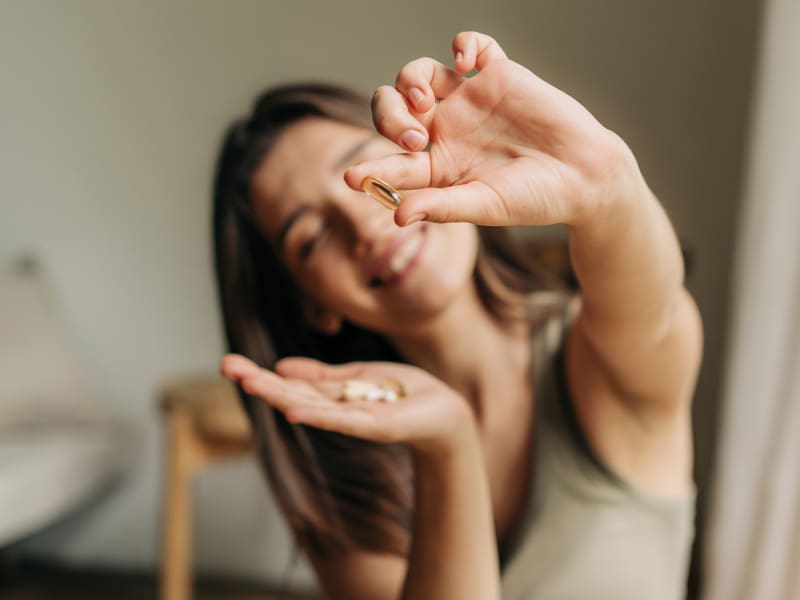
205,424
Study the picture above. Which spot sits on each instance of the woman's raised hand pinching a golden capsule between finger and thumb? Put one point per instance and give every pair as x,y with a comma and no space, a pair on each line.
503,147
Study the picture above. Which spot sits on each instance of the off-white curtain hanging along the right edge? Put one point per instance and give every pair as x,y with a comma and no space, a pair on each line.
754,535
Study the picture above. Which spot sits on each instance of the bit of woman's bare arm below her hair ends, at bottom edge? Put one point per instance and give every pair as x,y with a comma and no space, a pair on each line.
360,575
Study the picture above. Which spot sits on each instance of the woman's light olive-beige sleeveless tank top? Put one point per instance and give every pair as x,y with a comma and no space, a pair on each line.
587,533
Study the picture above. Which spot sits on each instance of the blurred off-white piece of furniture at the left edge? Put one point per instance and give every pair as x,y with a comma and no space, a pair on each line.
58,446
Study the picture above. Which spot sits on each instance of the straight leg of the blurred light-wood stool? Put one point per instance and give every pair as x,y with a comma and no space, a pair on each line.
176,573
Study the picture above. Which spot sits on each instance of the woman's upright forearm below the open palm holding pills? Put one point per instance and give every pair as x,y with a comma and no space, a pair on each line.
454,551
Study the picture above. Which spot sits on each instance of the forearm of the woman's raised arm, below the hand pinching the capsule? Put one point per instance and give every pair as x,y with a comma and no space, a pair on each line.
629,266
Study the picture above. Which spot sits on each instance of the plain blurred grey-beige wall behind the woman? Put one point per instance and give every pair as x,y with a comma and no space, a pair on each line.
110,114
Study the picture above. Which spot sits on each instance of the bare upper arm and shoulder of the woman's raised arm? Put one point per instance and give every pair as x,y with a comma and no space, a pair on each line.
633,396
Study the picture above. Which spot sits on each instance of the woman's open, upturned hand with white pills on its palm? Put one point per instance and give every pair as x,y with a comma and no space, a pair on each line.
430,417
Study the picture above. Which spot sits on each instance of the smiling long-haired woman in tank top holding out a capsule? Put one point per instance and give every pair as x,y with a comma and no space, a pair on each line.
554,436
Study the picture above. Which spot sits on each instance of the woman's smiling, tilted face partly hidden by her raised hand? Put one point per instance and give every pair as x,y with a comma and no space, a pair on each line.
342,247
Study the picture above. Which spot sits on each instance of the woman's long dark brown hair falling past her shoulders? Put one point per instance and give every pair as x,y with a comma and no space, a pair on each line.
336,491
